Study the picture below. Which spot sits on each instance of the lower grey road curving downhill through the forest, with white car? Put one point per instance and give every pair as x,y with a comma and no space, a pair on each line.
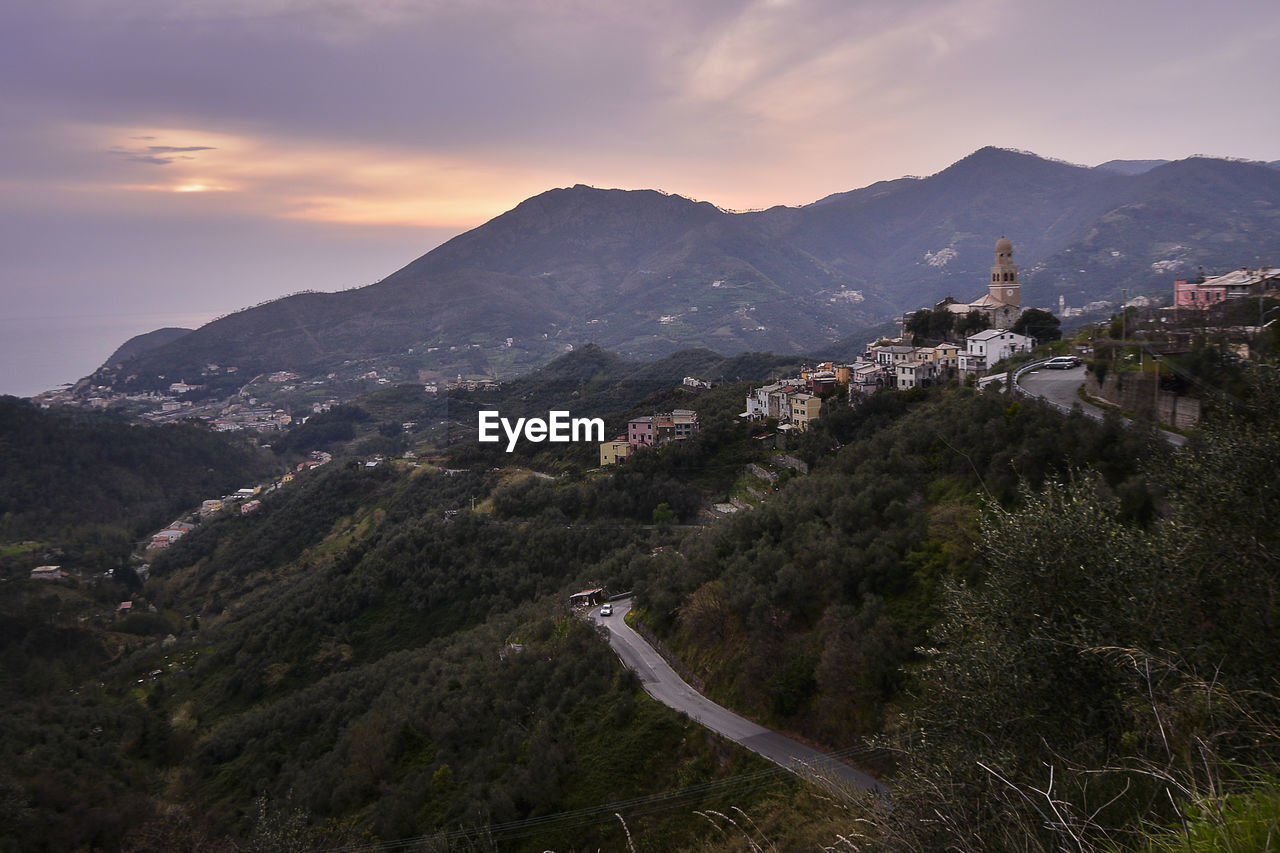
662,683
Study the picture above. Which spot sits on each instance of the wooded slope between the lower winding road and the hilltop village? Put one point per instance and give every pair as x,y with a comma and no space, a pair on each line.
808,612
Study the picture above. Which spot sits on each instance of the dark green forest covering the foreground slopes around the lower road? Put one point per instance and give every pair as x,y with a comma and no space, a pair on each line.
1045,632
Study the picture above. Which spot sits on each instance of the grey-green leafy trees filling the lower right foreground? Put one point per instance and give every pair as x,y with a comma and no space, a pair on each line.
1095,645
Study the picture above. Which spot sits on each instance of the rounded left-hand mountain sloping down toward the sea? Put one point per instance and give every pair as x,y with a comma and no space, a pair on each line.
639,272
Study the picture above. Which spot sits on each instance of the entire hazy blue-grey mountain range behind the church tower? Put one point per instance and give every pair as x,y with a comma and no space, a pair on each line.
647,273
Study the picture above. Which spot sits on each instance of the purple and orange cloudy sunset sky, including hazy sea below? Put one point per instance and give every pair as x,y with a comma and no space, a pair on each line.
164,162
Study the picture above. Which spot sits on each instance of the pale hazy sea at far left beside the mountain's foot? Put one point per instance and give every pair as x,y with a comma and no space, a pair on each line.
45,353
